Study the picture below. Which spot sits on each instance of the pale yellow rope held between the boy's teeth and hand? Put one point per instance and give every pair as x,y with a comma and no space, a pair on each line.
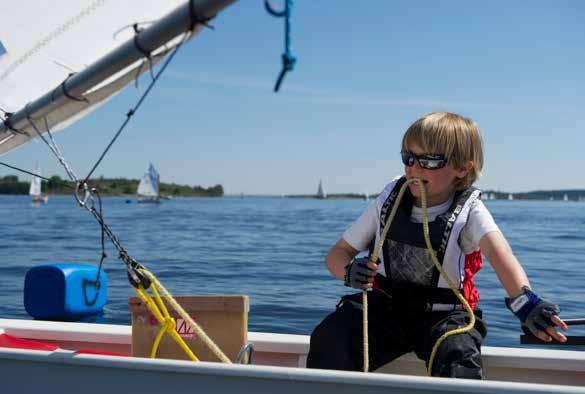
376,255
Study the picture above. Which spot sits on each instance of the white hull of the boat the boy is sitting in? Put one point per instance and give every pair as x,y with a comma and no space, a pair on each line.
279,362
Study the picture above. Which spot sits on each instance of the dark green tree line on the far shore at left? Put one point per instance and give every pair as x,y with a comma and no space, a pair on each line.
10,184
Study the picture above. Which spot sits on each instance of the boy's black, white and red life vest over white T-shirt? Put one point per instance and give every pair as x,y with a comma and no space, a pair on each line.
406,273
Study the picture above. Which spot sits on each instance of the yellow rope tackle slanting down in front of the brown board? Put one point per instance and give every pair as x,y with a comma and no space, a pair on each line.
162,315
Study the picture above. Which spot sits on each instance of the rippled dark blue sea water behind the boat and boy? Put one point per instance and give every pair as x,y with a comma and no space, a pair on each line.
271,249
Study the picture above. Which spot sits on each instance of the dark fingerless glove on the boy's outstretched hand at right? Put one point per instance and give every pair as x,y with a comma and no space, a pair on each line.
534,312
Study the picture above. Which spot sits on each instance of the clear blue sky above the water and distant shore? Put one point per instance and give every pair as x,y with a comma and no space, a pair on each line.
365,72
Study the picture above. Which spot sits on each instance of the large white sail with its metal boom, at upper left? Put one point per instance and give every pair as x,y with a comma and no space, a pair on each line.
91,39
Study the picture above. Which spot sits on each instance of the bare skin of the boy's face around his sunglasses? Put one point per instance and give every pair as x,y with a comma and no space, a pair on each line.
439,182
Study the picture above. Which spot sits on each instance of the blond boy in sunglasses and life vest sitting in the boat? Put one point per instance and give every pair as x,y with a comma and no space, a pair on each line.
411,305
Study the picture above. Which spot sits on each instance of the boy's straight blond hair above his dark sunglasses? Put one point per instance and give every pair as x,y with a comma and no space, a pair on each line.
452,135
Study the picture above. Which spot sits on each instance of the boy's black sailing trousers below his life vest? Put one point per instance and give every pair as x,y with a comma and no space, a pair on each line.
337,342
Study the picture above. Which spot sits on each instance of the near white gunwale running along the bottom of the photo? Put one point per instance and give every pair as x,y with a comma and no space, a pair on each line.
277,373
